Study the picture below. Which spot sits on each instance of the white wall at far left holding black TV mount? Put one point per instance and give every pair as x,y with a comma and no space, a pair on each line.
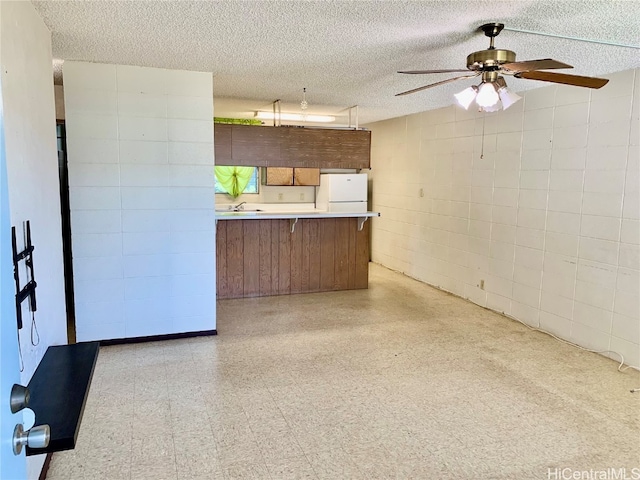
32,171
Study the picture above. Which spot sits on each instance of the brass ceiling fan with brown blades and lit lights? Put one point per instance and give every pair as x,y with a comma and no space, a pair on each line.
492,63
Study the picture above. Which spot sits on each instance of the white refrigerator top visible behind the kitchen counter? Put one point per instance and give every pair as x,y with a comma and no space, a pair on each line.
342,192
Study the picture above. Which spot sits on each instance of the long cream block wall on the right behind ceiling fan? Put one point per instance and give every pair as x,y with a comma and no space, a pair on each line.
548,217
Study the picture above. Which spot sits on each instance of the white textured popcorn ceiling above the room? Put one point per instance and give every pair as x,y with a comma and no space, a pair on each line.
344,52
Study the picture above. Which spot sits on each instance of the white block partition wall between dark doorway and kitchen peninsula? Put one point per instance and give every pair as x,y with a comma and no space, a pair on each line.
140,146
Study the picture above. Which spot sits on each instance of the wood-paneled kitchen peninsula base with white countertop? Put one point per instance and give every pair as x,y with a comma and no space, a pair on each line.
272,253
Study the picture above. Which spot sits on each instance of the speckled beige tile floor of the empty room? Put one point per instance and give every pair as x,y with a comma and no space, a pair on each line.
399,381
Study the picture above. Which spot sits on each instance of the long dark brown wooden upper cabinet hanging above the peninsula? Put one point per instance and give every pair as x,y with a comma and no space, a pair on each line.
262,146
